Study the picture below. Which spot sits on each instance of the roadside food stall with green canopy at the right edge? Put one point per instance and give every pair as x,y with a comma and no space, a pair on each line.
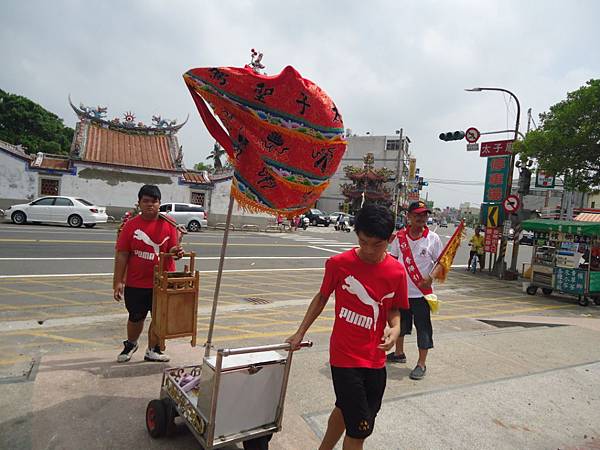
566,258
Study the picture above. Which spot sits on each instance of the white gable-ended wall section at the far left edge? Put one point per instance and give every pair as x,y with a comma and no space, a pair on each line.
16,182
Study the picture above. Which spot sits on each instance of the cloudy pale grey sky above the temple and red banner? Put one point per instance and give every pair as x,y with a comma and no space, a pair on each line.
387,64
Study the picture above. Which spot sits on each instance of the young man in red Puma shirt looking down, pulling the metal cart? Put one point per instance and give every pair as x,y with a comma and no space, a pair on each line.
370,287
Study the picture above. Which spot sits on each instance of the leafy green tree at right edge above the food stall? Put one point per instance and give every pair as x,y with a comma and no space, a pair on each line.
568,140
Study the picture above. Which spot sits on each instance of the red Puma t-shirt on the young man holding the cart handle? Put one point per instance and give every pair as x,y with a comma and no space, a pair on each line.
364,293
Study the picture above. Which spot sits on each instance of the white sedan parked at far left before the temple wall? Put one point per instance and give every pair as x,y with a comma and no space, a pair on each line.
57,209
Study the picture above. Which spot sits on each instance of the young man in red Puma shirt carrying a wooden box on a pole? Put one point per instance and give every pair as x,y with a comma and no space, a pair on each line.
139,243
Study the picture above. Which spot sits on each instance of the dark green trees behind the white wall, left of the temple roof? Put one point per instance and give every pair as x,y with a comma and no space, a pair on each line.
27,123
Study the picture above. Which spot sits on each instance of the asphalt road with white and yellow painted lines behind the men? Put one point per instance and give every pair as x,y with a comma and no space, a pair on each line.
55,287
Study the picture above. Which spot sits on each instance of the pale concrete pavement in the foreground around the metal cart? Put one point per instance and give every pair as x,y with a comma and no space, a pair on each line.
535,387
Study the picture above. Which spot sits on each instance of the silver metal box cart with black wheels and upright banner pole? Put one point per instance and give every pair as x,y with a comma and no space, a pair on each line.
235,396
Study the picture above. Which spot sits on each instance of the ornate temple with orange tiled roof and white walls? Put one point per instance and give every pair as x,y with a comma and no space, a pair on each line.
108,162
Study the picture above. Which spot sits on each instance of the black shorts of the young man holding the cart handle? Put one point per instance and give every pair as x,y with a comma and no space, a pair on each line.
358,394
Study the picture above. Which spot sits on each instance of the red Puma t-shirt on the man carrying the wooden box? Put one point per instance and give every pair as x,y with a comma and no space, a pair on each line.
144,240
